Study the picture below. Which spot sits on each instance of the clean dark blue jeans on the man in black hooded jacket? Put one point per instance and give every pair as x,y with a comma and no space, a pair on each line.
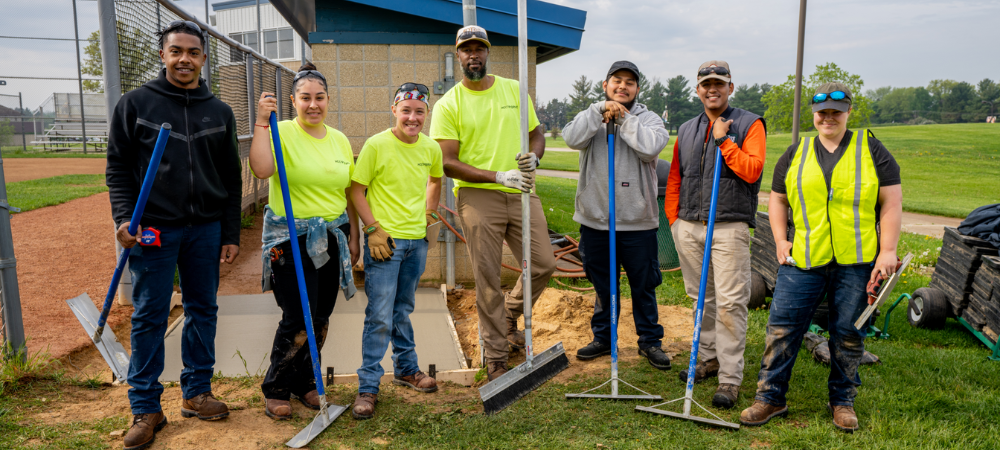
194,251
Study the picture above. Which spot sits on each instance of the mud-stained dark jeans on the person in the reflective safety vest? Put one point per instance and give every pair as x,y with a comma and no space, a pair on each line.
797,293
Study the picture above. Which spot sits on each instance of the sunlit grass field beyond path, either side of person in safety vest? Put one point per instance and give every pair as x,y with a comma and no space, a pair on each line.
946,170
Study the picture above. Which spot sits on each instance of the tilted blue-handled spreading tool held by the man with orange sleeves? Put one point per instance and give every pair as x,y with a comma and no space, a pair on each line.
699,311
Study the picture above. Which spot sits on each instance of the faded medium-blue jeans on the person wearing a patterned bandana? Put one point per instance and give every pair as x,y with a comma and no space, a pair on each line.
391,287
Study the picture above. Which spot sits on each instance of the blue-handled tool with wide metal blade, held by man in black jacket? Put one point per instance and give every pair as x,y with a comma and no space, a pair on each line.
83,307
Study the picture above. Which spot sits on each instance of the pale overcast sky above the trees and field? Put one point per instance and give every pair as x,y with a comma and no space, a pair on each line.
887,42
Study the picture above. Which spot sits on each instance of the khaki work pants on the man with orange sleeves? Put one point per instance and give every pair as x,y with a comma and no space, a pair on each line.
724,323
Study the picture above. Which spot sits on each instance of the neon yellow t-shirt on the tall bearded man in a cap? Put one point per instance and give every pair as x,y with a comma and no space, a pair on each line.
487,125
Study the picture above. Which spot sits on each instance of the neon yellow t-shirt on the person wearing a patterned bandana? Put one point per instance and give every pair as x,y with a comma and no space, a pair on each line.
396,175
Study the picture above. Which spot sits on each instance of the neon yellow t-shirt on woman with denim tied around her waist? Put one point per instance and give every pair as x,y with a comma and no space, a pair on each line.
318,171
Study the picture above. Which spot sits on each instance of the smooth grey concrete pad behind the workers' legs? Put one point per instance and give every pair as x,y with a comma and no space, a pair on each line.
247,323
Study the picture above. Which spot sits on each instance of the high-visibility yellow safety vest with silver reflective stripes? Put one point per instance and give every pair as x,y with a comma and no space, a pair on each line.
839,221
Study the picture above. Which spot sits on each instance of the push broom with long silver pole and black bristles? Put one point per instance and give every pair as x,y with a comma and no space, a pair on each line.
536,369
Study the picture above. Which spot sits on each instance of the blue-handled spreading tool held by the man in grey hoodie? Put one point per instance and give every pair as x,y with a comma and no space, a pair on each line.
614,291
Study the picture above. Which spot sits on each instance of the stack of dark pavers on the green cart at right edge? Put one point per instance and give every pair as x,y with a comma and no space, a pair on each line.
961,256
